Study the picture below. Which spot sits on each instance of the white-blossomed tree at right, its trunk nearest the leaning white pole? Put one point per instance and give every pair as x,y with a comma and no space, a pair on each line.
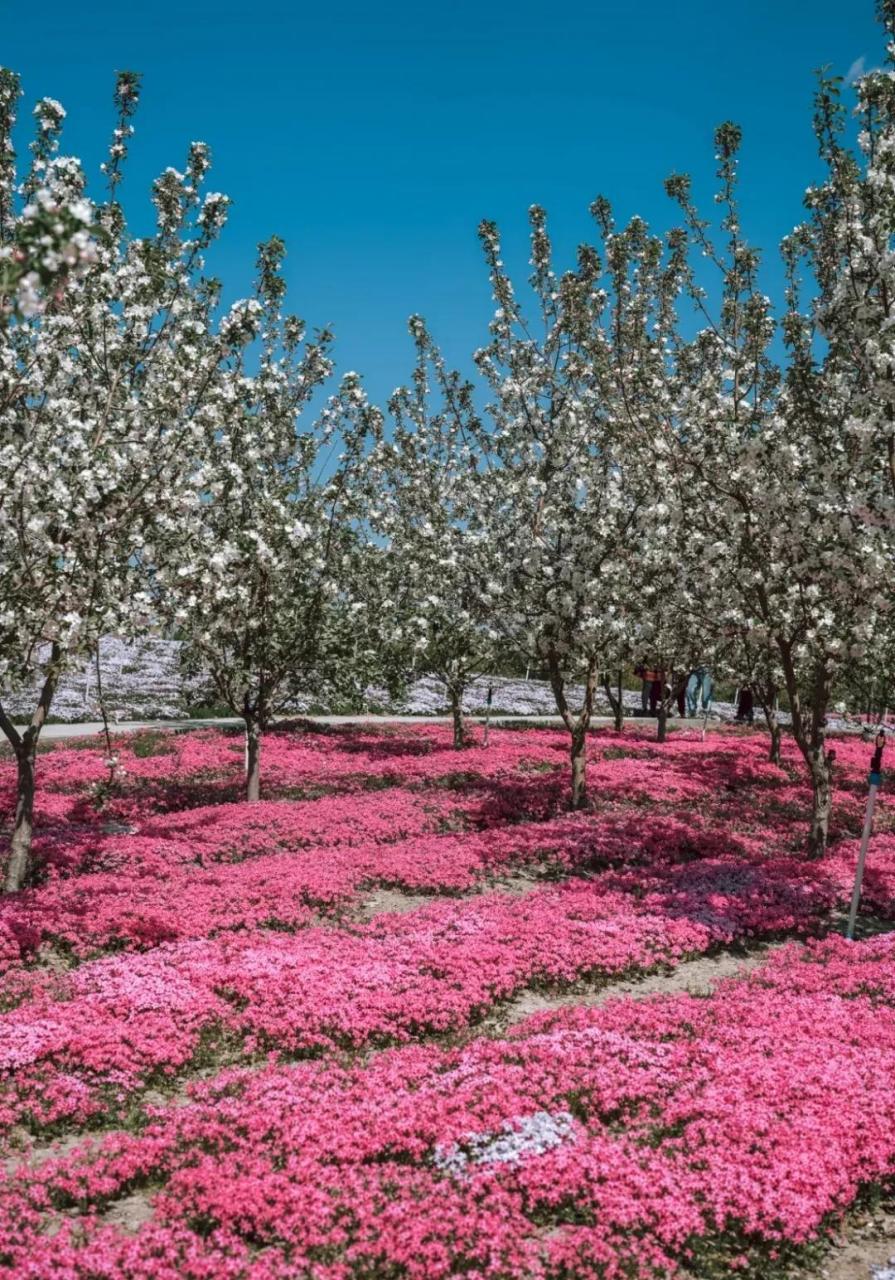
778,470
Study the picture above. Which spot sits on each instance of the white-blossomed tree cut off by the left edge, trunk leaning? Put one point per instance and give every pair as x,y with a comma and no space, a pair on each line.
107,385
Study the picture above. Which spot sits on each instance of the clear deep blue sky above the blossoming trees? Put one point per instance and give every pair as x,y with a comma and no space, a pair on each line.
373,139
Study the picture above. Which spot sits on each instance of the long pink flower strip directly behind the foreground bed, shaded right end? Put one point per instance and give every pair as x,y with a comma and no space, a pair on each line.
433,971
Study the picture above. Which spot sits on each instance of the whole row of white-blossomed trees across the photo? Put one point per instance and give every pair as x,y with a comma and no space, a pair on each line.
650,460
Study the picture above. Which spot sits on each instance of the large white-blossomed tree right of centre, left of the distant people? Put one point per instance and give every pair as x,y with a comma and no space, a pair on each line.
573,400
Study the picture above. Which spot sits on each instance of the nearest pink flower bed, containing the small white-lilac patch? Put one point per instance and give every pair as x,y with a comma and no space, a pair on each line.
625,1141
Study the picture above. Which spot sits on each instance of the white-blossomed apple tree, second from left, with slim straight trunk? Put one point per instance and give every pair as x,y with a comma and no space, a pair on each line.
270,593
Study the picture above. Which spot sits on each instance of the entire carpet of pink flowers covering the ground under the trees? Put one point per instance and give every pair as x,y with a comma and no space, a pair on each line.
291,1040
